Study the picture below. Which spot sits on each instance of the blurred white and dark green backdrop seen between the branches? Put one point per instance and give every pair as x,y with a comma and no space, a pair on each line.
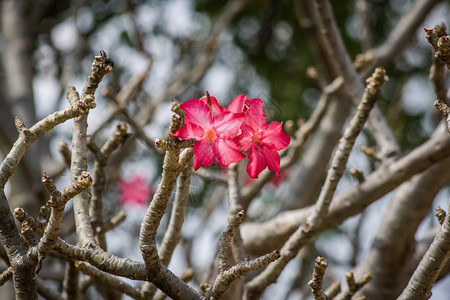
175,50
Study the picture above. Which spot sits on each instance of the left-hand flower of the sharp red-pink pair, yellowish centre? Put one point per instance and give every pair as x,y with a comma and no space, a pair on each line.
215,130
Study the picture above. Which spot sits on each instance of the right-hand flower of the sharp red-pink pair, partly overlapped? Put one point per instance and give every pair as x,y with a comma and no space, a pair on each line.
261,140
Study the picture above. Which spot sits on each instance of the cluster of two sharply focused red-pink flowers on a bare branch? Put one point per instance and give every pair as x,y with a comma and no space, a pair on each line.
225,133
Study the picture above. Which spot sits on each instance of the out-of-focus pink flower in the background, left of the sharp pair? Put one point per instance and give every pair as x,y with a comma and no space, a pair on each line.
134,191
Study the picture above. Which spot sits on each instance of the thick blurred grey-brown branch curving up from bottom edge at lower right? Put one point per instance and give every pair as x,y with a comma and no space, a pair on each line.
390,256
